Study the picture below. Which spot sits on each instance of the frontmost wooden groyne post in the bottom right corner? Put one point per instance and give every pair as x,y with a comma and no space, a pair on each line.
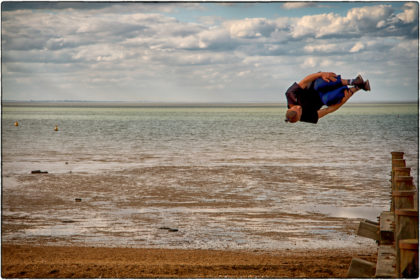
409,254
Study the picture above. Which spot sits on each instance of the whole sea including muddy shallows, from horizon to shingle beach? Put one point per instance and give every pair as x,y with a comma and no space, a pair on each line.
198,176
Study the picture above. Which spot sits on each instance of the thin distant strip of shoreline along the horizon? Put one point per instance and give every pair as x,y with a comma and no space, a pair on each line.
117,104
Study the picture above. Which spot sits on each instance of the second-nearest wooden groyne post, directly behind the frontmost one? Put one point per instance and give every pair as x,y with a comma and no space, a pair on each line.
406,227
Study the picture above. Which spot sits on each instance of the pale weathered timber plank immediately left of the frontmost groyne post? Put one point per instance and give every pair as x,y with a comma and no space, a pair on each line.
386,263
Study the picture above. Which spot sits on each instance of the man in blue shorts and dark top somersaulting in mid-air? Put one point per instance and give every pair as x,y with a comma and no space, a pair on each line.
306,98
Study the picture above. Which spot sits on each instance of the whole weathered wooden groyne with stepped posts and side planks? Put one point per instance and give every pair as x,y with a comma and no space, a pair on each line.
396,231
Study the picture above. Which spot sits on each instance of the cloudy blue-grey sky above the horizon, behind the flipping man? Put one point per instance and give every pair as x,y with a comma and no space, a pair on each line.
205,52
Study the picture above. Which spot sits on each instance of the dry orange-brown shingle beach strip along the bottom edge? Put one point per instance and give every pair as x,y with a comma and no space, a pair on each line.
88,262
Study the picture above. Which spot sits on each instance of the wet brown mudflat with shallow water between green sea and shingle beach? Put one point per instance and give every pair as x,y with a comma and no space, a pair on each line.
224,207
